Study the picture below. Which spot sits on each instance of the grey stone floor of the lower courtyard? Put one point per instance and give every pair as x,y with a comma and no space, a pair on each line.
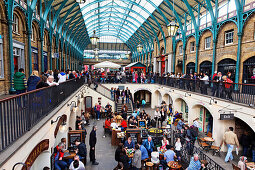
105,151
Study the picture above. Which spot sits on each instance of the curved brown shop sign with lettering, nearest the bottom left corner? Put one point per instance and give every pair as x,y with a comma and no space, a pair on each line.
38,149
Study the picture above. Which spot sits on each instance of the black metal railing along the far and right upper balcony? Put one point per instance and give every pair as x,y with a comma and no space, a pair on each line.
237,92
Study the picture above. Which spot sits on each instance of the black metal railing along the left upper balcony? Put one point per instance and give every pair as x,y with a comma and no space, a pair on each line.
22,112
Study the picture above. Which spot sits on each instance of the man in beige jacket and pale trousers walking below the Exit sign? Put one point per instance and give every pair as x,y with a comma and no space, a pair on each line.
230,138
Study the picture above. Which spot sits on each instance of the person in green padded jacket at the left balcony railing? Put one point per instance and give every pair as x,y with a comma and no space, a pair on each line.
19,81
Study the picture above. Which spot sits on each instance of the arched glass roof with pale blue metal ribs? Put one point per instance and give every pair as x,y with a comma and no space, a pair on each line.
116,19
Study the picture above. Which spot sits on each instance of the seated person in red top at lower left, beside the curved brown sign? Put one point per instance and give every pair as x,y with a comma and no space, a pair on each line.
58,157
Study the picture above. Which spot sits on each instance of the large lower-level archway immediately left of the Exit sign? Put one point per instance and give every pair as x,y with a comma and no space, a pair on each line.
205,118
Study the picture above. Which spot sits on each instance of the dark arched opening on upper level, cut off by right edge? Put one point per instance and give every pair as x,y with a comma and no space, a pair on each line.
249,71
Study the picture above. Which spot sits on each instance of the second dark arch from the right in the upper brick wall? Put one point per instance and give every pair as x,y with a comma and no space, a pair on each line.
227,65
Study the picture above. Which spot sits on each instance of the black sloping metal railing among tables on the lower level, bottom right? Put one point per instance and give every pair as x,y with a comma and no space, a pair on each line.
189,149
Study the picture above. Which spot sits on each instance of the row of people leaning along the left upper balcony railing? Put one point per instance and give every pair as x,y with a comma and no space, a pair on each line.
35,81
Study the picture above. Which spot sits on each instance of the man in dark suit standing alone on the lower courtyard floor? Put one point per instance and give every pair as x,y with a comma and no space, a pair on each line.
92,144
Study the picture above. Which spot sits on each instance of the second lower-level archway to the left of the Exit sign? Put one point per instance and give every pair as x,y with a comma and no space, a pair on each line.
182,107
